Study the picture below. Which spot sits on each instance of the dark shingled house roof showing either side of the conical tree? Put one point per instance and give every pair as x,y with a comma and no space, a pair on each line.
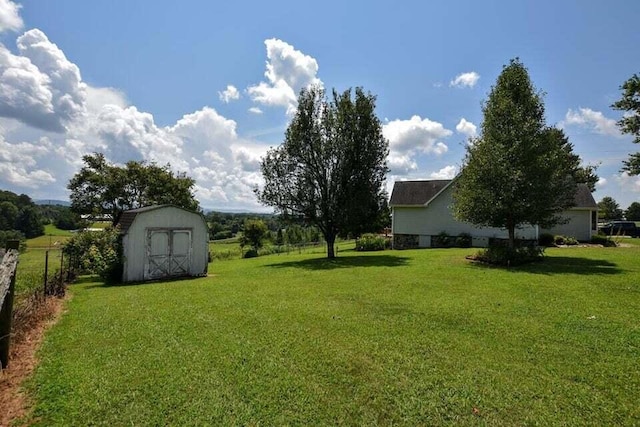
418,193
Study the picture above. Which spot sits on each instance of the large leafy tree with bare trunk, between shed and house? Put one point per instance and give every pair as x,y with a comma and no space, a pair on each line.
331,168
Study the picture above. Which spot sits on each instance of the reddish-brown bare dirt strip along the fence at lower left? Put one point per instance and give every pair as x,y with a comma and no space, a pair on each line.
22,359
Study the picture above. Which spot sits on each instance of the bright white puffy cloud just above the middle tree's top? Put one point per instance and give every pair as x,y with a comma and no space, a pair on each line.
288,71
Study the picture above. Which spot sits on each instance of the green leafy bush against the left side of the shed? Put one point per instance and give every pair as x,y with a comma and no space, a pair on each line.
97,252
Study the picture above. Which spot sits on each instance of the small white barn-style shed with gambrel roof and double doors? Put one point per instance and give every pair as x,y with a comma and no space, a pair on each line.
163,241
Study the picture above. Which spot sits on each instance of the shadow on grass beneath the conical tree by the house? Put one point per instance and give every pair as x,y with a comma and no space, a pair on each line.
564,265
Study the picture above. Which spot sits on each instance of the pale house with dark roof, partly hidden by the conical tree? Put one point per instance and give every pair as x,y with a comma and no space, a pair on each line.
421,210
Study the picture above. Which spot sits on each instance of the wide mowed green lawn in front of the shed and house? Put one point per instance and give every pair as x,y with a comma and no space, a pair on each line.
389,338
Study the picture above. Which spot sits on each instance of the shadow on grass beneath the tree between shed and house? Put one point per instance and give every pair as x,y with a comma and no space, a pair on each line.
344,262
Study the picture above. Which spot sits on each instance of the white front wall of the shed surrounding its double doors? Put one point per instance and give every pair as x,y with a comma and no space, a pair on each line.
135,240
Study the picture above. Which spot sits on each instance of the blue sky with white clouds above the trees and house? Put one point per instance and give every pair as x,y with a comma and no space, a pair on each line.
209,87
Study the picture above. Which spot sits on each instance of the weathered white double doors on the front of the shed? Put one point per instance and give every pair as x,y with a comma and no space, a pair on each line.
168,253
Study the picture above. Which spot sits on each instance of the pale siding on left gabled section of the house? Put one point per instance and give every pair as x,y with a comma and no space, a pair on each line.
438,217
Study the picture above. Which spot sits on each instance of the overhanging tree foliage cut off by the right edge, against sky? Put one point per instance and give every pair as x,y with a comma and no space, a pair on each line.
630,122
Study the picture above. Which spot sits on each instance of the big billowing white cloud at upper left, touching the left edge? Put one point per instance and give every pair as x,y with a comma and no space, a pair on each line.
40,87
